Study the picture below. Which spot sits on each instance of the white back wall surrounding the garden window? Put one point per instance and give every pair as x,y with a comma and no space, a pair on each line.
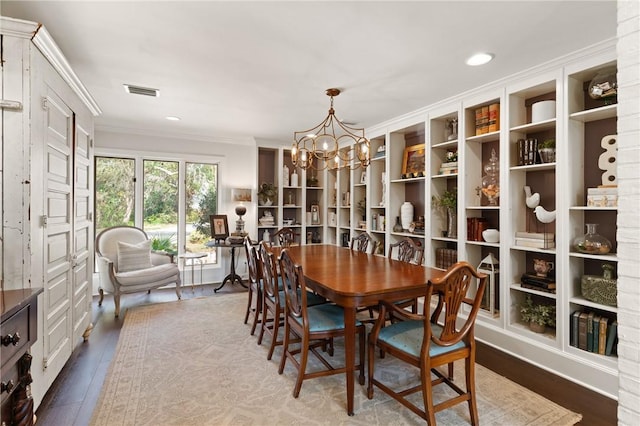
237,161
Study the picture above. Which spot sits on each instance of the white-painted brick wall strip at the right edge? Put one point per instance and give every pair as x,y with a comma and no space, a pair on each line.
628,217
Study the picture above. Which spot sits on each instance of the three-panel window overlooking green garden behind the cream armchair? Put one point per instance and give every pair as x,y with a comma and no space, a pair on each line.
148,193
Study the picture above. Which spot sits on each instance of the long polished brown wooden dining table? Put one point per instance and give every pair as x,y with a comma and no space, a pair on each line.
353,279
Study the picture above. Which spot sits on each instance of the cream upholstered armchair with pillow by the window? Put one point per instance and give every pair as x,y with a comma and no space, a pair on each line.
126,264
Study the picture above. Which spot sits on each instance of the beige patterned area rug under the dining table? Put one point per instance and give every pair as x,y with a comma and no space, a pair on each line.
193,362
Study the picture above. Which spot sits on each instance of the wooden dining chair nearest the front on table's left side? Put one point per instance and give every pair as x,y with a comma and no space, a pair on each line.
311,326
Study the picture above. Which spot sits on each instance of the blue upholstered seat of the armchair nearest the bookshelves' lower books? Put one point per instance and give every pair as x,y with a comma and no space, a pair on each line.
407,336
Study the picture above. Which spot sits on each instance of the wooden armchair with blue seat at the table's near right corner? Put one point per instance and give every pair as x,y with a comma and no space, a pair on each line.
428,342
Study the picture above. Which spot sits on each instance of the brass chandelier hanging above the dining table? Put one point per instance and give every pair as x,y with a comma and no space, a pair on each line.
319,147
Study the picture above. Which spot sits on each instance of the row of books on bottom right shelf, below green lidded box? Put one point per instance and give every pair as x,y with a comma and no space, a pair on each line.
593,332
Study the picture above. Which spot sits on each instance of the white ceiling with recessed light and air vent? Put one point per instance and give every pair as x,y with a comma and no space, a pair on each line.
259,69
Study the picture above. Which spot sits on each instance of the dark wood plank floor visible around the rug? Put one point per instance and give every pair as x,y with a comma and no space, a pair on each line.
74,394
